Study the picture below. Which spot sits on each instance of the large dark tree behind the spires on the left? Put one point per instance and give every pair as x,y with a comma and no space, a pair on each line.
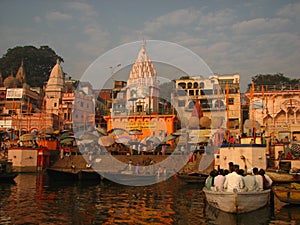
38,63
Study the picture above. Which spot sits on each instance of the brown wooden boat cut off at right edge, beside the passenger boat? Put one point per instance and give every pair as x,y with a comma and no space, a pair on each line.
287,195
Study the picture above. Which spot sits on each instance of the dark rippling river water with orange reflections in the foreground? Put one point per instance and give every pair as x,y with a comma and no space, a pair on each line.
34,199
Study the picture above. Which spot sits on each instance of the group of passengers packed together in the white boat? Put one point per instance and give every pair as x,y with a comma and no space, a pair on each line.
235,179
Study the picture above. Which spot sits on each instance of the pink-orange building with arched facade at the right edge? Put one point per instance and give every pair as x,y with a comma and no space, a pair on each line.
276,108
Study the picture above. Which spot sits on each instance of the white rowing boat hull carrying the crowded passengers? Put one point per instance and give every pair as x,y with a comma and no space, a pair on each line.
237,202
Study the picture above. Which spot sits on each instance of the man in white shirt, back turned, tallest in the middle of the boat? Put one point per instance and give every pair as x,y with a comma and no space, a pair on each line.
234,181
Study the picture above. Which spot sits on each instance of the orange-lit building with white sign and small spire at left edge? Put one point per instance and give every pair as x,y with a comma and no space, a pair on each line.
20,104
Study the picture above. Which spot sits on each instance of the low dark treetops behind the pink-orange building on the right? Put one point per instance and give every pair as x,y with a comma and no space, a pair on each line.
273,79
